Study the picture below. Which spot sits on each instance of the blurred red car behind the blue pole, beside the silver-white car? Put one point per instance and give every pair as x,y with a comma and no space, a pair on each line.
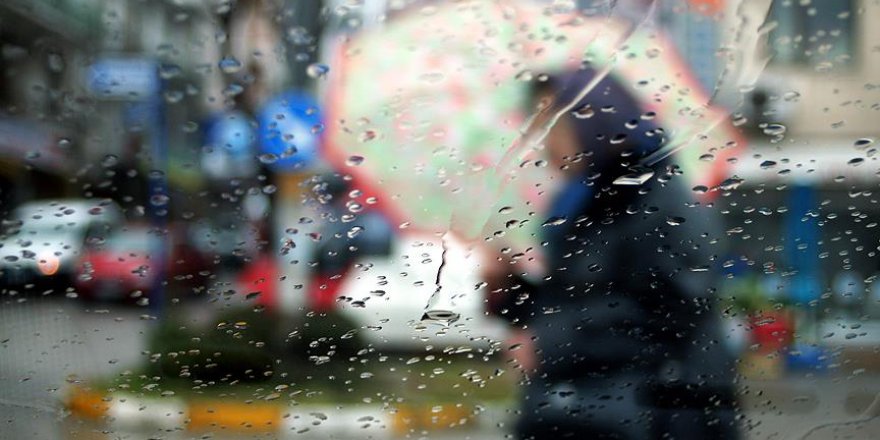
124,264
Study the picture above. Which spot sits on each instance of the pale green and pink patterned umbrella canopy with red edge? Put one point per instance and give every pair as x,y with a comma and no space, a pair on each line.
428,112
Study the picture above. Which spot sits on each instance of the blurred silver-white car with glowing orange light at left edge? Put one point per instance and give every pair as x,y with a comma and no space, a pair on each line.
42,239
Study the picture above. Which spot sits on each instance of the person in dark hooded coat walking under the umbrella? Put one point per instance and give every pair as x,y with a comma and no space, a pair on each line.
621,338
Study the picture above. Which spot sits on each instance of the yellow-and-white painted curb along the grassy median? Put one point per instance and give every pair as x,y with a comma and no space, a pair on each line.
127,411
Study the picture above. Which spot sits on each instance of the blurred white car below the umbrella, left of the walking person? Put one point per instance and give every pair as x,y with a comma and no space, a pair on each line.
388,295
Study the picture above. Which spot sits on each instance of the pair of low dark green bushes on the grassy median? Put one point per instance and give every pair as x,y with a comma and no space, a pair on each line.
244,345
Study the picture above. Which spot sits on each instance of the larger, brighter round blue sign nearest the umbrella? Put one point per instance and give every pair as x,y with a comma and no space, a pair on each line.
289,132
